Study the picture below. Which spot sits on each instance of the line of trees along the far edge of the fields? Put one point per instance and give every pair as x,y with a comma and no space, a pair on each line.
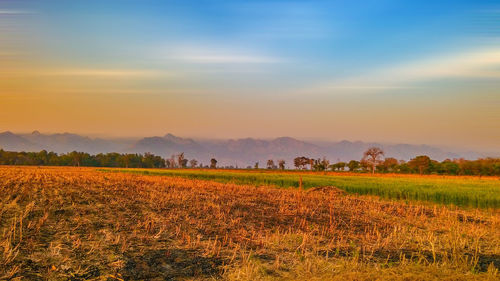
373,161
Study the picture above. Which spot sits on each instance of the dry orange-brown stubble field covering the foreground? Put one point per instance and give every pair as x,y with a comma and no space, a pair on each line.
79,224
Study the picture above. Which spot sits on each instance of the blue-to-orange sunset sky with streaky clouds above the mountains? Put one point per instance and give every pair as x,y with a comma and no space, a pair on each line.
420,72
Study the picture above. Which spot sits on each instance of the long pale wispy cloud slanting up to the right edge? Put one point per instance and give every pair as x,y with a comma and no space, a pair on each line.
479,64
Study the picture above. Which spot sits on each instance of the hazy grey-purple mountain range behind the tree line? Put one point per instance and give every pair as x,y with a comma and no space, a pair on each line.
240,152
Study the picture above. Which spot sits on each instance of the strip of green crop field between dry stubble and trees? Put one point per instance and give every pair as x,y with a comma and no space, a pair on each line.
461,191
